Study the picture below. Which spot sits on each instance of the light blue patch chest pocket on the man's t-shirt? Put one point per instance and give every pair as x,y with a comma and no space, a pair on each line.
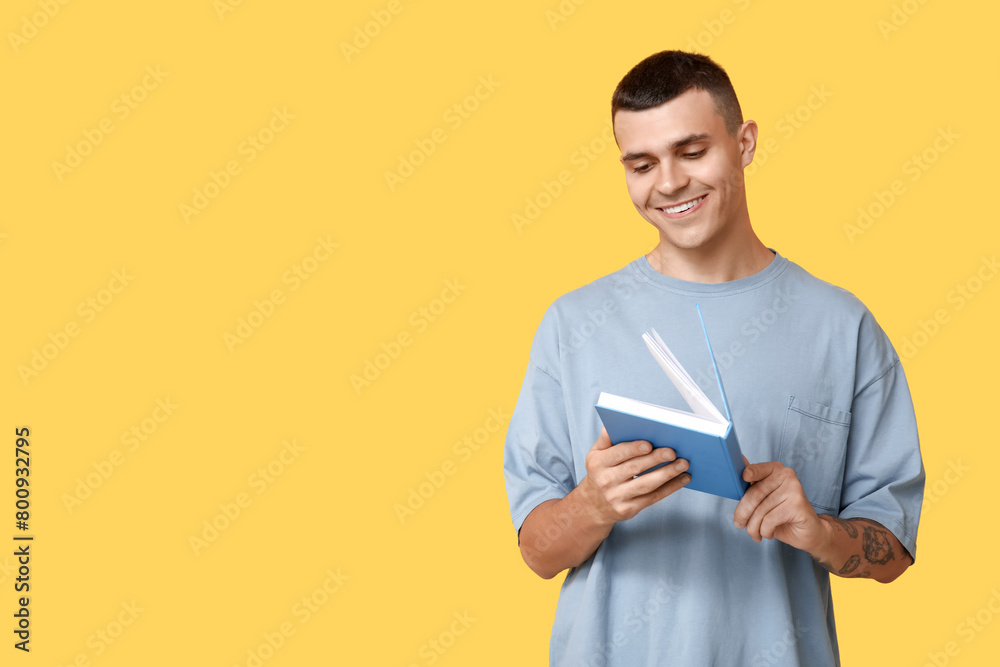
814,445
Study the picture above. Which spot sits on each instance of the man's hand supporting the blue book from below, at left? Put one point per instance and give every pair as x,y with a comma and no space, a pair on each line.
609,485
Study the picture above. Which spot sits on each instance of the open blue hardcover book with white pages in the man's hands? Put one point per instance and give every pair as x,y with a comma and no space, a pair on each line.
704,437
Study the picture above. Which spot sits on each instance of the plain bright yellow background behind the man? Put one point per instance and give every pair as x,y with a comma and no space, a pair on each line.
897,73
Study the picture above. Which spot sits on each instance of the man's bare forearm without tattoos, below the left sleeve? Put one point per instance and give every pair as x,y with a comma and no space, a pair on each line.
560,534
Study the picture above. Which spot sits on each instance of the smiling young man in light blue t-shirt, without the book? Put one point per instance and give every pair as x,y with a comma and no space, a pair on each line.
659,575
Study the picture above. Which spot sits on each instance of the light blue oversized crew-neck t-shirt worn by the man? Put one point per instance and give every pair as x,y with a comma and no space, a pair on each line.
811,381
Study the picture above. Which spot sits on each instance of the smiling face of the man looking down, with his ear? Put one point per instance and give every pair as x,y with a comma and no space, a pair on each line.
684,172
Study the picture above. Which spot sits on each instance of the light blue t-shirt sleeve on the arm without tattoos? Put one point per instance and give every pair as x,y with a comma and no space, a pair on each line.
538,457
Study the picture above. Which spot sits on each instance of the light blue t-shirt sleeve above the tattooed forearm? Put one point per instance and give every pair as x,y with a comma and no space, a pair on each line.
884,474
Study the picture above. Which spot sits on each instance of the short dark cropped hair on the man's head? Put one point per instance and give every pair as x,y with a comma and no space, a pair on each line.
665,75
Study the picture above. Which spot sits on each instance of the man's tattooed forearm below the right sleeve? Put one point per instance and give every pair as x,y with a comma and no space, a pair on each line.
860,548
